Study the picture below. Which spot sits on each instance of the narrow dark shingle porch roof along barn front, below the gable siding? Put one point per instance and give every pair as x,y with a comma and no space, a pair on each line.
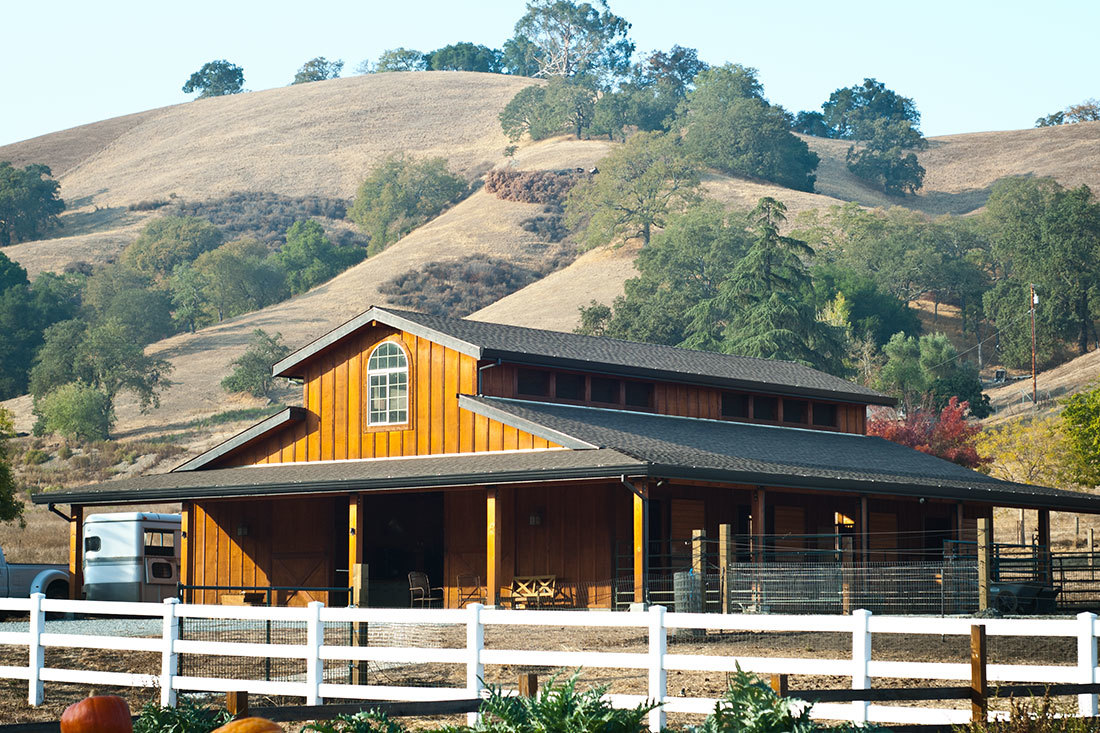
368,475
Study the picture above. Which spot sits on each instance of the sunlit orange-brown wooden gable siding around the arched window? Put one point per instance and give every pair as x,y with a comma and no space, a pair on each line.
336,396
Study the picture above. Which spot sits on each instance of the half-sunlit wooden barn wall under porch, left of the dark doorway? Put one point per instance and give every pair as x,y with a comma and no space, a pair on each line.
289,543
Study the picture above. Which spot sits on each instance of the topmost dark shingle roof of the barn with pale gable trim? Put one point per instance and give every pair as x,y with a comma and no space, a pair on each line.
515,344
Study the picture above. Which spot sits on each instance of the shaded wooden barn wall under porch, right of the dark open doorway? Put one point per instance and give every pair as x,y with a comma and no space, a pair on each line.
576,541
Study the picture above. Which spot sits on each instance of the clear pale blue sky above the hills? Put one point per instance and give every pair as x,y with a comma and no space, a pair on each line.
970,65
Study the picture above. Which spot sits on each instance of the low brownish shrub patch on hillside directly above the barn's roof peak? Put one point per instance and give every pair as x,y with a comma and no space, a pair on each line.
458,288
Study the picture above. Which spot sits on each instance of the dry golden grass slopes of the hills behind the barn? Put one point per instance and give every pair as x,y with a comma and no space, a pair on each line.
321,139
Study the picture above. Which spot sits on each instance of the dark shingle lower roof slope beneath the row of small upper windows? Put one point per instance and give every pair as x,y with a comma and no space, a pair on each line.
741,453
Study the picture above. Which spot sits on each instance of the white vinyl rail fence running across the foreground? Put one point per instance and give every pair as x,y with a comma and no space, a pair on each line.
657,662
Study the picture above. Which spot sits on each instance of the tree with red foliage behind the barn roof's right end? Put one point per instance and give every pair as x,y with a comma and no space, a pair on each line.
947,436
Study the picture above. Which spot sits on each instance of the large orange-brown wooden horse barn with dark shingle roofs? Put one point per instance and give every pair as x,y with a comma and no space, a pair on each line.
442,461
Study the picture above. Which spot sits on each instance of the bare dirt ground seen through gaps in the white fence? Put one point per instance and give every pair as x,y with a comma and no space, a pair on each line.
1033,651
